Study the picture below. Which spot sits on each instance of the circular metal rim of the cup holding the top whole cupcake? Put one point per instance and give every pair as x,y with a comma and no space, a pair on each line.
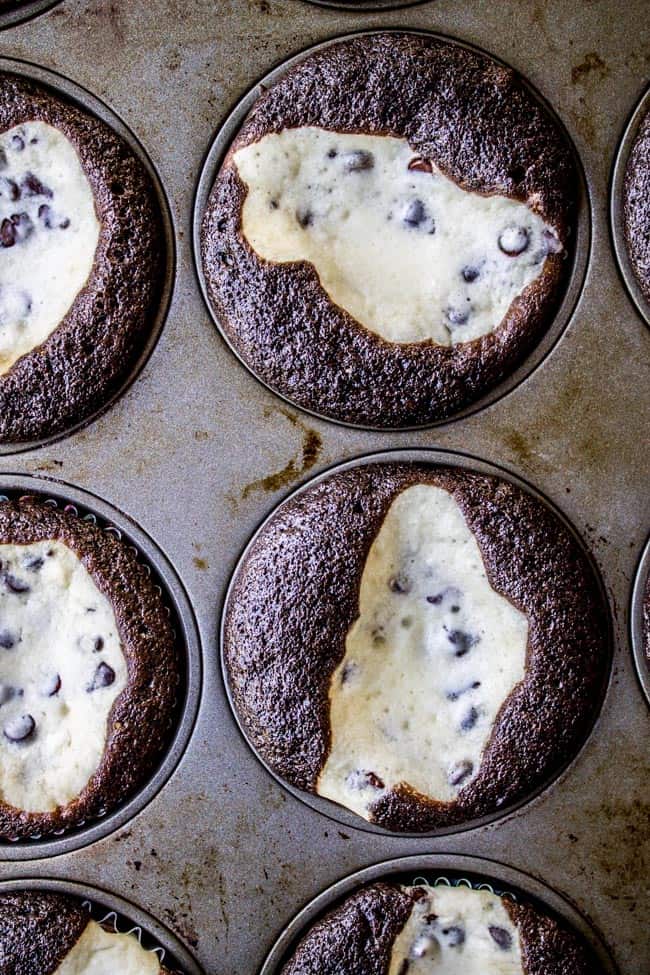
573,286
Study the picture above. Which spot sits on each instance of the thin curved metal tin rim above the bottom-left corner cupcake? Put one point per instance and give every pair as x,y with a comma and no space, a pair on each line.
125,909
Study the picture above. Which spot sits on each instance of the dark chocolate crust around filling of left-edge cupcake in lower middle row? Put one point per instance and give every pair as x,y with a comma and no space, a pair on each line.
141,719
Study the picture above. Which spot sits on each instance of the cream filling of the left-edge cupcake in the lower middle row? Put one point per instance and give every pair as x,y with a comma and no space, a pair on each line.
61,669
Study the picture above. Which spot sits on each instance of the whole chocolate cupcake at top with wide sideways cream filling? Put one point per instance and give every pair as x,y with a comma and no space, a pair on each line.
387,236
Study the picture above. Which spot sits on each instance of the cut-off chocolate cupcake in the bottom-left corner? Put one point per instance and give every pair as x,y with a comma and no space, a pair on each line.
43,933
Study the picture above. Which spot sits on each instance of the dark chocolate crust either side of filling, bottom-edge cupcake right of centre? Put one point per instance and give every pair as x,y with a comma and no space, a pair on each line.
357,937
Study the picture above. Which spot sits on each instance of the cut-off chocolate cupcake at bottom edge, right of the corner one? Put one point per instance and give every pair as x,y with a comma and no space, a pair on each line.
386,929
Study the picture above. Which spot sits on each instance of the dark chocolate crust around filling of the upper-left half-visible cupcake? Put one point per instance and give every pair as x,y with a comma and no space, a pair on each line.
84,362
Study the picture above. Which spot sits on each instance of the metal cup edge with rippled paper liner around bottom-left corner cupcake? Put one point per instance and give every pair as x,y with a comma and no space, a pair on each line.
121,916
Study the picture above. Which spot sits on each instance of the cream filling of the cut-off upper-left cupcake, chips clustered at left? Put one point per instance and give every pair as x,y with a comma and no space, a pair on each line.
48,235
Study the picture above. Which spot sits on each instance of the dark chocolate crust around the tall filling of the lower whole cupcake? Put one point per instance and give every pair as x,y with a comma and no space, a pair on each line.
296,595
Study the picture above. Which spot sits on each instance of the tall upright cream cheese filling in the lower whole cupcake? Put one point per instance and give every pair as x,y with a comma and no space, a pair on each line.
428,663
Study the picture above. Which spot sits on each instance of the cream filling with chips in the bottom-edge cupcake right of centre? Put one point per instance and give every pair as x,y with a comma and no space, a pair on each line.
457,931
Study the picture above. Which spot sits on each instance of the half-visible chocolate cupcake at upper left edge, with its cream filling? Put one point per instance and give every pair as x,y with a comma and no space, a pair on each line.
82,261
